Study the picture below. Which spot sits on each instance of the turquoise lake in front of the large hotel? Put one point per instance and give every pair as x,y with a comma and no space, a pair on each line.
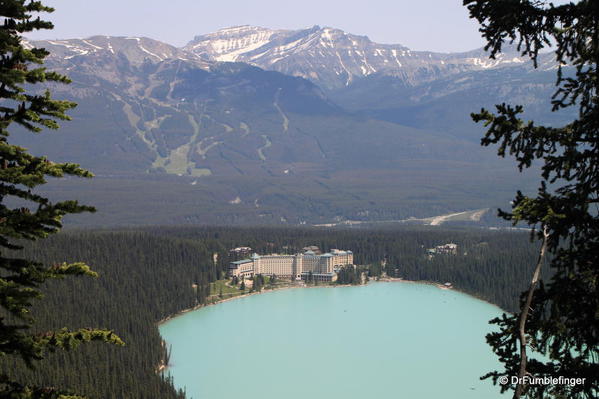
383,340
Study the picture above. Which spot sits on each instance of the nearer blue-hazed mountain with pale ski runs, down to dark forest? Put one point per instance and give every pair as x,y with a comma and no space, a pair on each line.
175,138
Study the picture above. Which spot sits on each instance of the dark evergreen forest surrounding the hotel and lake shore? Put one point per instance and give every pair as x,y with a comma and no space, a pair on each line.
147,275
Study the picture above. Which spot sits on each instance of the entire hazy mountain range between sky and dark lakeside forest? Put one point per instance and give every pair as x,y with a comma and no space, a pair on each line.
277,126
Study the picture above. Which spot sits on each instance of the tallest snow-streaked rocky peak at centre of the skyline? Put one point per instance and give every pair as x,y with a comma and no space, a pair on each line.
325,55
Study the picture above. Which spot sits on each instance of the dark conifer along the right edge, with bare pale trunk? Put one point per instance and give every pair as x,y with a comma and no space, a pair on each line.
559,318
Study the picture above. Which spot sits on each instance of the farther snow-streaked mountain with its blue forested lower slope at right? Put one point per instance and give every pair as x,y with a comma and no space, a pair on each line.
425,90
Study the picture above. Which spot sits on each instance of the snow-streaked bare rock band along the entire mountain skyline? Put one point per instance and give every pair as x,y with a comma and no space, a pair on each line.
329,57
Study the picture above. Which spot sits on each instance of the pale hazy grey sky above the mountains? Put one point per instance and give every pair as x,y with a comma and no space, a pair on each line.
438,25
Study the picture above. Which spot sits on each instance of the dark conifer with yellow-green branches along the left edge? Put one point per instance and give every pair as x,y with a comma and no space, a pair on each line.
24,106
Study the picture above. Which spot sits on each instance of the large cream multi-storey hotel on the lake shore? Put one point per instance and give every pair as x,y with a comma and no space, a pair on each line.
299,266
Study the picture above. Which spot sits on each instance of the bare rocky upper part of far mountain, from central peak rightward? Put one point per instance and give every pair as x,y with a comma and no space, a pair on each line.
334,59
